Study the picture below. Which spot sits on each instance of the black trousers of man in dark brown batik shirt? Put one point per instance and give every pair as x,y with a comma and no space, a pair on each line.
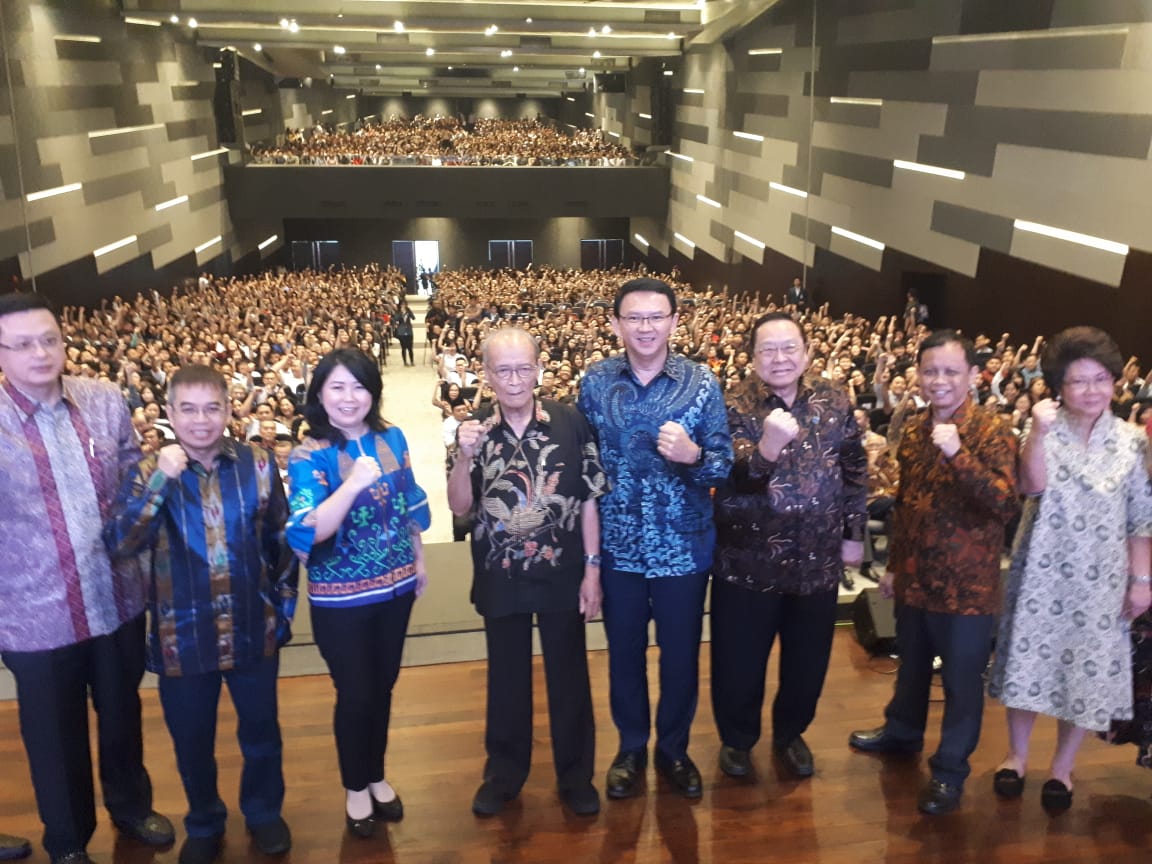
745,625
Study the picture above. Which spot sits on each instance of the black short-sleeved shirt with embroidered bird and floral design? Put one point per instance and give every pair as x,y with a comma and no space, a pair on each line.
528,551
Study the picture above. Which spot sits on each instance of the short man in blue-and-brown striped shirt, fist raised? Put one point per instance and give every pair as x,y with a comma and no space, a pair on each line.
211,514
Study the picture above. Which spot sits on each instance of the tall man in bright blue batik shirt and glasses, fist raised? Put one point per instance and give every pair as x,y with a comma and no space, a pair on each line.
664,442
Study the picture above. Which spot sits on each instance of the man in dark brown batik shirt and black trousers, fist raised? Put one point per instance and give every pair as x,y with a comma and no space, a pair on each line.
792,514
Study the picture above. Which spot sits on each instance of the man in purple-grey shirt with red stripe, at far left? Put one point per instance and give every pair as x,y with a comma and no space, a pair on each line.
72,622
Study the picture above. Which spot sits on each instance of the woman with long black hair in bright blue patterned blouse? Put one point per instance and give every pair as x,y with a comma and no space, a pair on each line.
357,521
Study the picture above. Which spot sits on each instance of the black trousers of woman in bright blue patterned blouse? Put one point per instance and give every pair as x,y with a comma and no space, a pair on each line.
362,647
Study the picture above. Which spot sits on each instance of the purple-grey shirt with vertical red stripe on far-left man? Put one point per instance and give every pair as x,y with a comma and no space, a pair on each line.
62,466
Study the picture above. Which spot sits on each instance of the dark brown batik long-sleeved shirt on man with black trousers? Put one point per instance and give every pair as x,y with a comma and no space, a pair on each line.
780,525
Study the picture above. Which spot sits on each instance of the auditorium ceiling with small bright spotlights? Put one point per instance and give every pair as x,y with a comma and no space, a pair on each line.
451,48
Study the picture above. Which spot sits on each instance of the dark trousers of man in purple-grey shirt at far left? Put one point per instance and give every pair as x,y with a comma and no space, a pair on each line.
52,689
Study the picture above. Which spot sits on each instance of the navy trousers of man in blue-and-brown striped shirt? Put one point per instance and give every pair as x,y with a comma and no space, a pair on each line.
191,706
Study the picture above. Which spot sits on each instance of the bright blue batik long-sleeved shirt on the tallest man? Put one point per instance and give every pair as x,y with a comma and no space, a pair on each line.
657,520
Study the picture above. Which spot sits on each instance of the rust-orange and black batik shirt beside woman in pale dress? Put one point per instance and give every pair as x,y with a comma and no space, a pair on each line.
949,521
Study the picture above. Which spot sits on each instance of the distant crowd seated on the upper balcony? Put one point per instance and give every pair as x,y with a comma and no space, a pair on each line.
444,141
